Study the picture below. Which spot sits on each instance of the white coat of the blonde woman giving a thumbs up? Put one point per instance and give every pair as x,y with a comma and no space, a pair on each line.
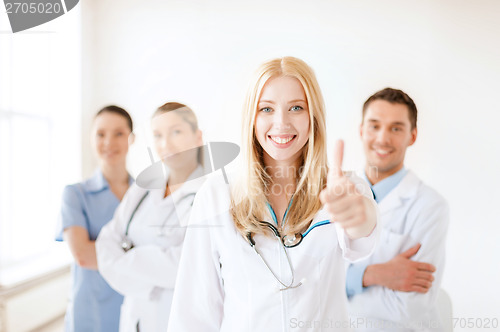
223,285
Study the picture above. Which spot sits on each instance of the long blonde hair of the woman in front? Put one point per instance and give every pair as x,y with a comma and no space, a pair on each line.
248,199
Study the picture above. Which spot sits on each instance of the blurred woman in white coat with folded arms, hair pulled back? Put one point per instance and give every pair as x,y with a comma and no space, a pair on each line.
139,249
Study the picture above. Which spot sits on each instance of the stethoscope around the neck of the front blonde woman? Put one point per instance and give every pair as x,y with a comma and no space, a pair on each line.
287,241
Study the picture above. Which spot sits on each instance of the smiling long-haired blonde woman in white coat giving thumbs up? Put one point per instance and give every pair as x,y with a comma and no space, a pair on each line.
271,255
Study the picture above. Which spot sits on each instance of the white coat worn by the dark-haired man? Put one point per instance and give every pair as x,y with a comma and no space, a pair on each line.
411,213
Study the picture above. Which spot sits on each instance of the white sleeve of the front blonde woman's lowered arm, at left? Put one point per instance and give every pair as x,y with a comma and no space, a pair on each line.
198,299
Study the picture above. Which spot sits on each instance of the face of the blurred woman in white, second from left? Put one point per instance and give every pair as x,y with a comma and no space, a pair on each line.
172,134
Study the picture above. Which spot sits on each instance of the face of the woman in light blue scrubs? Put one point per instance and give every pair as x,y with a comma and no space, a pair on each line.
110,138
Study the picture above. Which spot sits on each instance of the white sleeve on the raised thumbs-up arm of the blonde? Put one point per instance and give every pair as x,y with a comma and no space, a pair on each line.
358,249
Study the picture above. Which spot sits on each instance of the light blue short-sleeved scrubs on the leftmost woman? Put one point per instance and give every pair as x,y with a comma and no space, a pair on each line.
94,305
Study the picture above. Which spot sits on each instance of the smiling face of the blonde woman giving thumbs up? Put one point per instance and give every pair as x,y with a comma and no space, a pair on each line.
282,120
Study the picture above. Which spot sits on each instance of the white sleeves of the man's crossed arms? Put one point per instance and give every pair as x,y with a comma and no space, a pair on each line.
431,224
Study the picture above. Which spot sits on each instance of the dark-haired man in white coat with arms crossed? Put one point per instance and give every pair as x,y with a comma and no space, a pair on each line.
396,288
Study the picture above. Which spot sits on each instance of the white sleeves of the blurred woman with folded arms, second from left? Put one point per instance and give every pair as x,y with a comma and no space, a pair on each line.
139,270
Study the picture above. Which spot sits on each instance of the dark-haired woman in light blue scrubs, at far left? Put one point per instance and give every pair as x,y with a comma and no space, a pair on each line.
86,207
